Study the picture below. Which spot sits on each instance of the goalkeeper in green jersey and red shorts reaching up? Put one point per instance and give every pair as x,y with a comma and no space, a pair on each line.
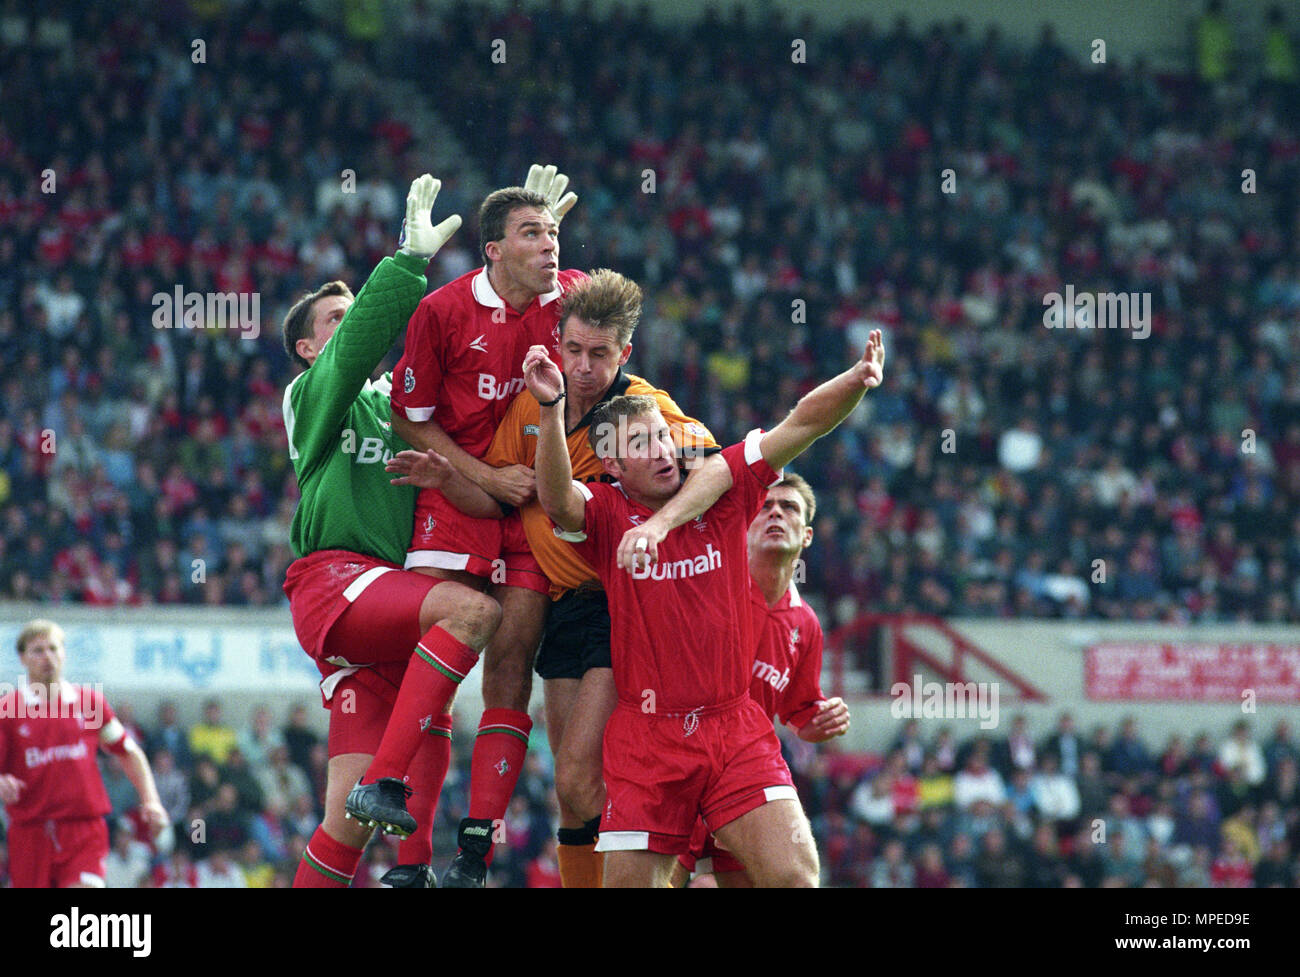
357,613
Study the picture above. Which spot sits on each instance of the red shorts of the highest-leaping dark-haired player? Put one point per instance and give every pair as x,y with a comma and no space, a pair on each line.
448,540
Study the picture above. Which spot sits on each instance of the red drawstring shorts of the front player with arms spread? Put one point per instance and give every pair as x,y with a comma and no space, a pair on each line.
664,772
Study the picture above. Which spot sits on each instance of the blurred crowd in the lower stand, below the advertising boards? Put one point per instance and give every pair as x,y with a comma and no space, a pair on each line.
1061,809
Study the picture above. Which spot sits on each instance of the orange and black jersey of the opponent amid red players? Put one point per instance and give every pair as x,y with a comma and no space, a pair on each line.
515,444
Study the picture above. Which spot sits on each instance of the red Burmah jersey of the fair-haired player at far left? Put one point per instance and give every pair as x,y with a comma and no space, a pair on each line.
54,753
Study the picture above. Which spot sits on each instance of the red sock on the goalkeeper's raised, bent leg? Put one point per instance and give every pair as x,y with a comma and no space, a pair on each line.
437,667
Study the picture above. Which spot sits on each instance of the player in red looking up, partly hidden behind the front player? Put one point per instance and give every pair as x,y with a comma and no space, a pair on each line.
788,666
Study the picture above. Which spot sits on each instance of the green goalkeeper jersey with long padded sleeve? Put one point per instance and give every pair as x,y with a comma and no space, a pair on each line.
340,427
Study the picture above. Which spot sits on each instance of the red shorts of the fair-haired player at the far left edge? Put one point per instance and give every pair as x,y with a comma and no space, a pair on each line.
58,854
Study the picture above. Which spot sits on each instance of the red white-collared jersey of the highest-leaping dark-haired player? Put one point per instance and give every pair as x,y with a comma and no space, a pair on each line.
465,357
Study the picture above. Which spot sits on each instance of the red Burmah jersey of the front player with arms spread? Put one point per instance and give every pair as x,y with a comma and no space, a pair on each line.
682,632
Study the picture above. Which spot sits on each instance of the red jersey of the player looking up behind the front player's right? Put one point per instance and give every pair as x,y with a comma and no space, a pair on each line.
788,666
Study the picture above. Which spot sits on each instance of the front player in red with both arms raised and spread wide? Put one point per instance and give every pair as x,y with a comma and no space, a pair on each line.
687,740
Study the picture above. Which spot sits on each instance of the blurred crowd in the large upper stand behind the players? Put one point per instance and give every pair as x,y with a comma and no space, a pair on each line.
775,210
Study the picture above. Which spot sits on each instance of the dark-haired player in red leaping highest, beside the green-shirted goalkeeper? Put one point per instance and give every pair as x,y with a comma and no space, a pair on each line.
461,368
